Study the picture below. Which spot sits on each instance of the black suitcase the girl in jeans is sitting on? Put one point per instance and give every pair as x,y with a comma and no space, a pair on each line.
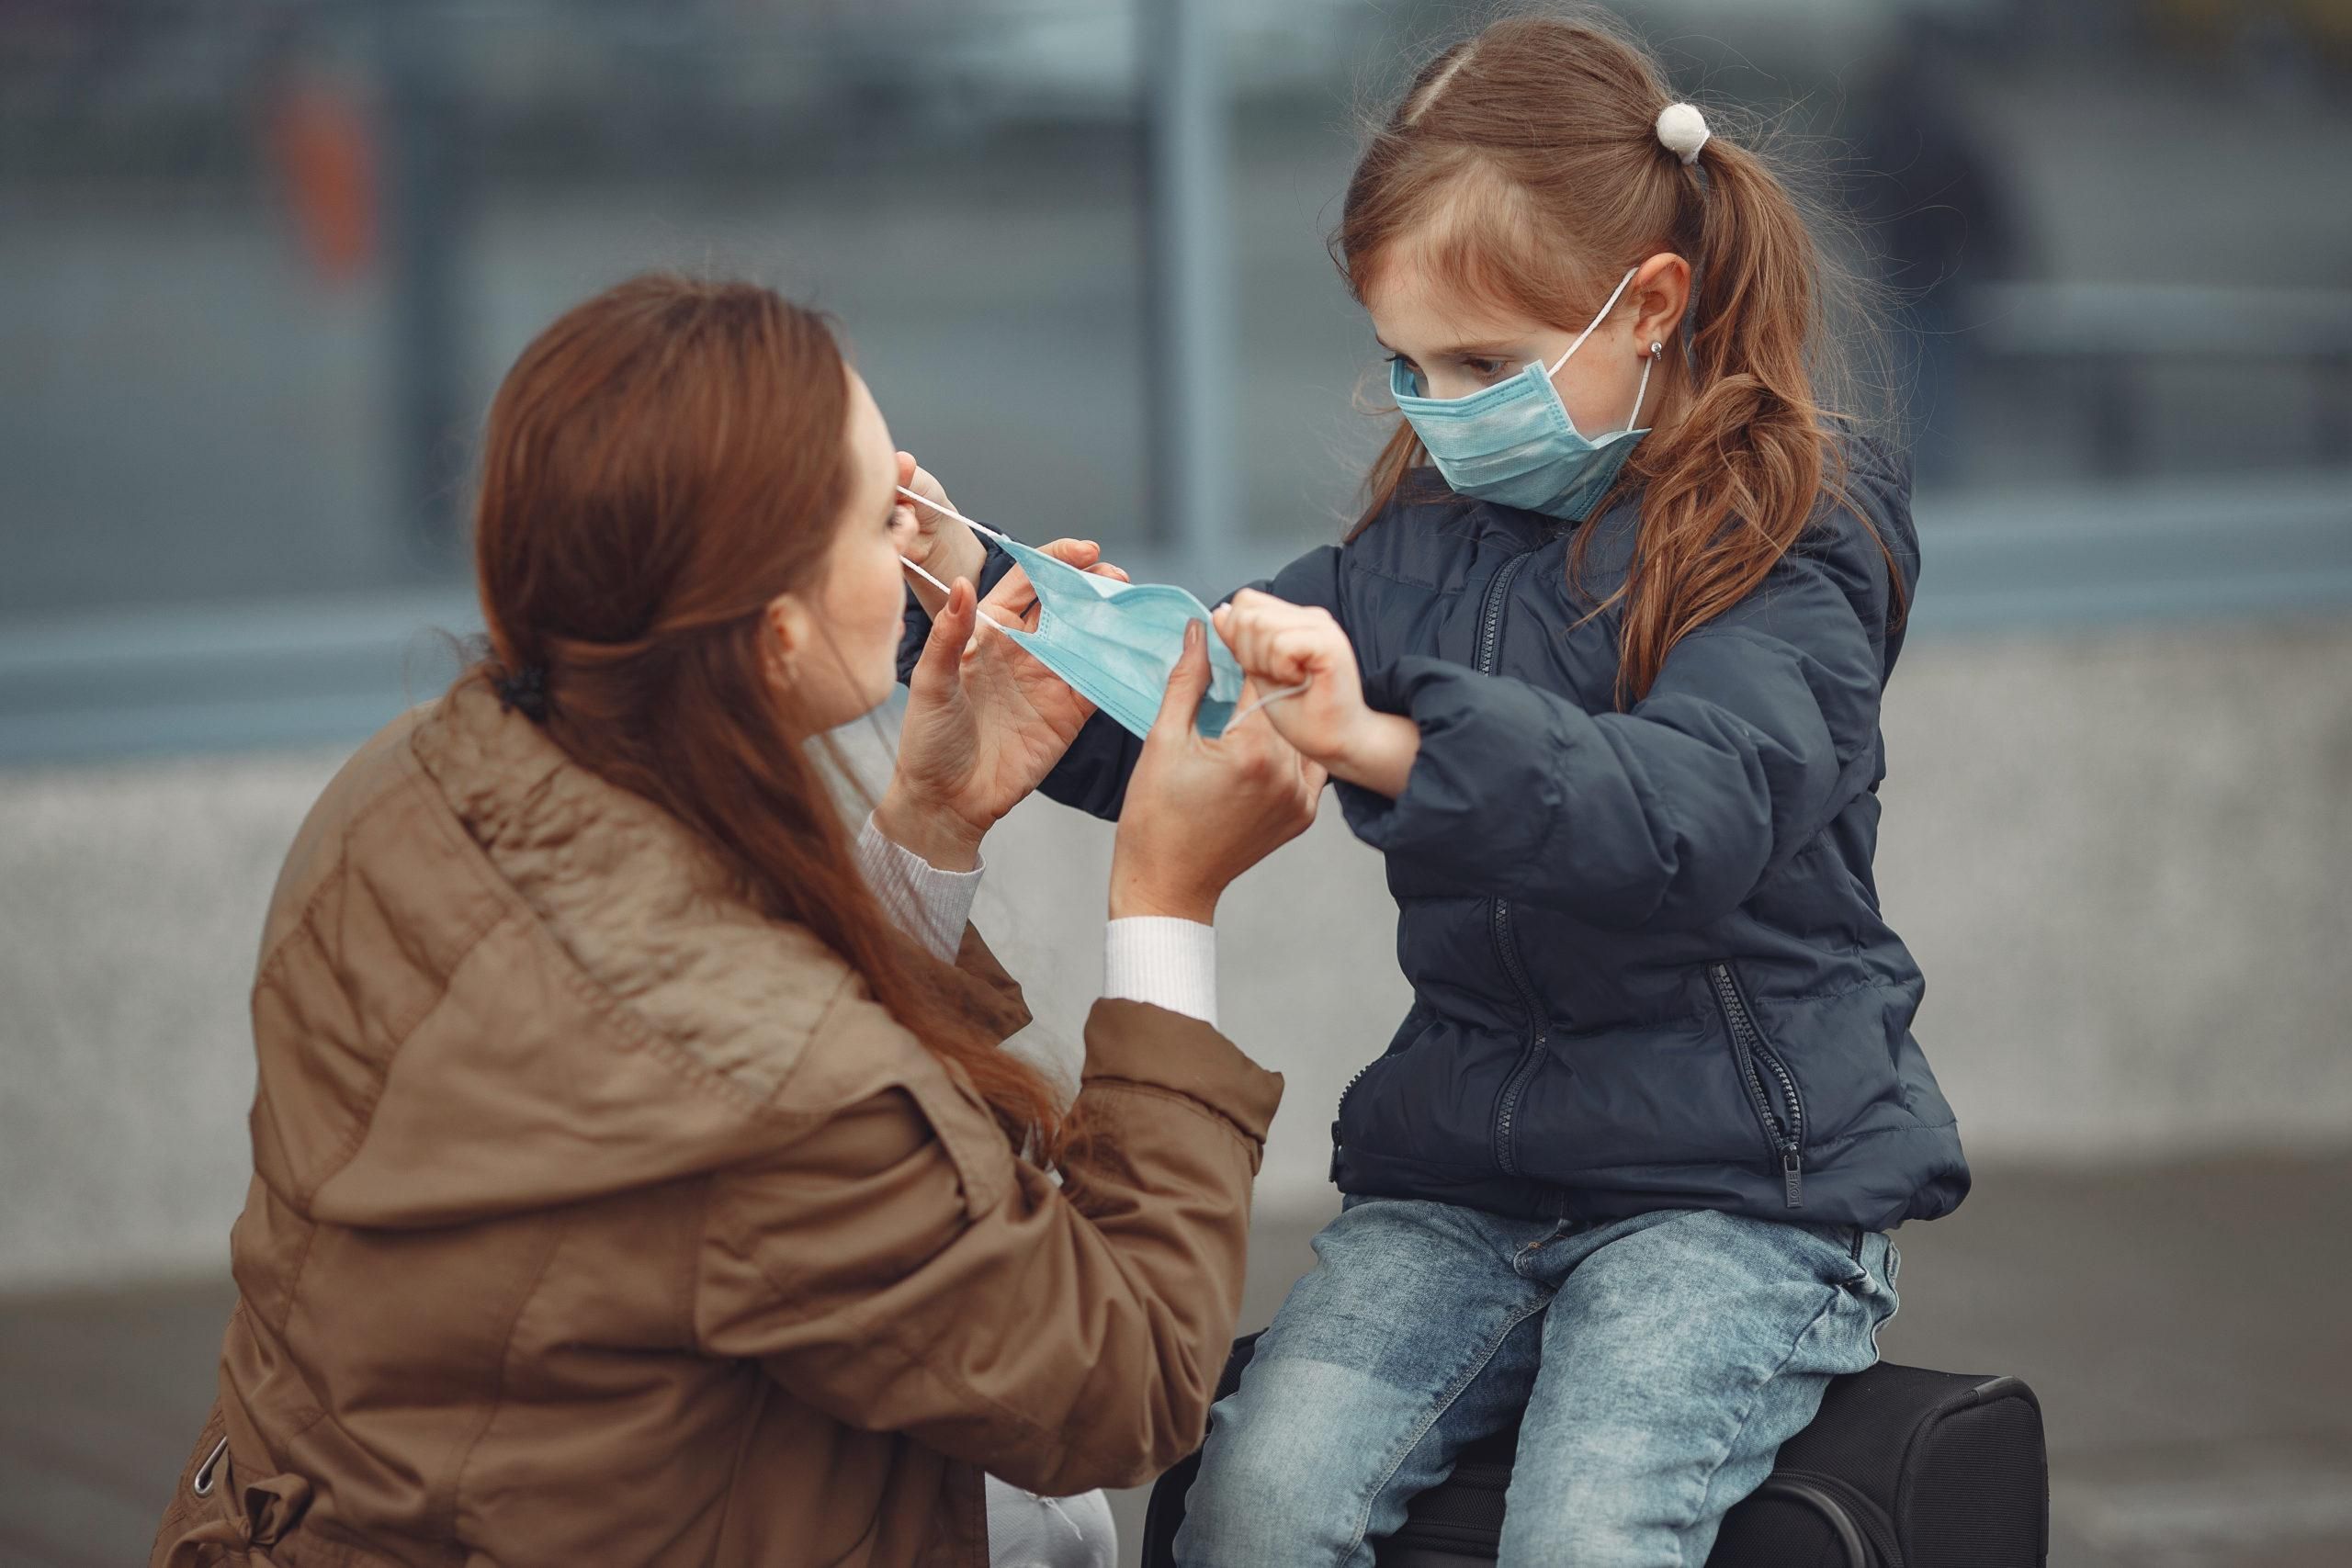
1904,1468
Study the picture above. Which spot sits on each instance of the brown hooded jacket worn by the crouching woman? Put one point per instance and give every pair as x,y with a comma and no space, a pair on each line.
601,1221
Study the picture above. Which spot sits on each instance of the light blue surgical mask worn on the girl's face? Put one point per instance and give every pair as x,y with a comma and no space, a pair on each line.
1514,443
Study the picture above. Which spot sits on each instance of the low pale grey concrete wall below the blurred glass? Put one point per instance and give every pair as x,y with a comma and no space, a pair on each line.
2123,859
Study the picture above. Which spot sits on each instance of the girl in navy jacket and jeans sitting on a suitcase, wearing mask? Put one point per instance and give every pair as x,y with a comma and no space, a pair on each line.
1605,692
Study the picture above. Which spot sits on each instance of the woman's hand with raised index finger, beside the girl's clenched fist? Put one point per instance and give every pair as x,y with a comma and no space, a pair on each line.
1203,812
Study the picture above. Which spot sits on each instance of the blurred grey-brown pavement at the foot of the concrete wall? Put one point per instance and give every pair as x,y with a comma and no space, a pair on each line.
2181,1325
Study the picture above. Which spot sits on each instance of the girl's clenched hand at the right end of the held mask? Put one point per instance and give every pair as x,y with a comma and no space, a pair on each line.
1288,645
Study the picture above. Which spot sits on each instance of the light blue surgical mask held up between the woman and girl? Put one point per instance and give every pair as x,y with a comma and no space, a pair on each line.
1116,643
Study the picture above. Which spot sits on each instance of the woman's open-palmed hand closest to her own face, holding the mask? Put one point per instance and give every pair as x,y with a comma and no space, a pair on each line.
984,721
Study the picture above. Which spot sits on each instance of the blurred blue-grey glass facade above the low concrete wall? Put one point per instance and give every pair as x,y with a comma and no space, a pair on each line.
262,264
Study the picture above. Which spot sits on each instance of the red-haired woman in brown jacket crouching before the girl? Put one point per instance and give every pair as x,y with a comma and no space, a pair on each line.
627,1188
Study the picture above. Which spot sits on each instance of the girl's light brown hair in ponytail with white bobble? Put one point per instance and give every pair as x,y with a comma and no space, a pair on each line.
1528,168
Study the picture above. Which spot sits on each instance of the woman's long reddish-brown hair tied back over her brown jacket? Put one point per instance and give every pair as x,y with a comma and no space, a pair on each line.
660,467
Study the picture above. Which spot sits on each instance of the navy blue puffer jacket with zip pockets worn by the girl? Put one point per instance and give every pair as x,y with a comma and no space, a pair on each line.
1648,956
